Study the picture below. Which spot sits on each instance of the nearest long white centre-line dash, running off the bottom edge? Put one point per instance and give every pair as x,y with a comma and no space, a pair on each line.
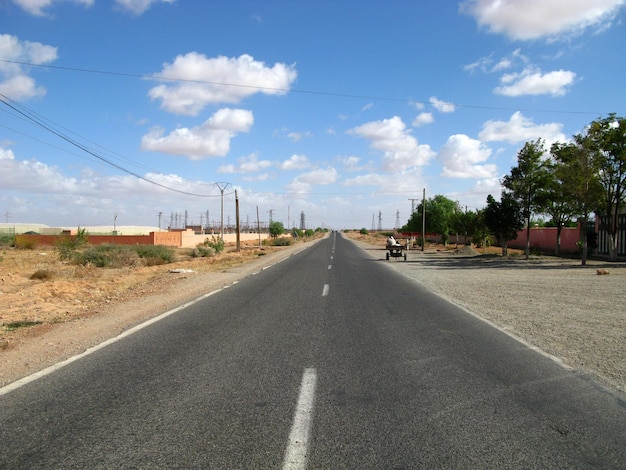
296,454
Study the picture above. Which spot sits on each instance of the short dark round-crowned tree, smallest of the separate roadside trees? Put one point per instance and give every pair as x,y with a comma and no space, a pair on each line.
504,219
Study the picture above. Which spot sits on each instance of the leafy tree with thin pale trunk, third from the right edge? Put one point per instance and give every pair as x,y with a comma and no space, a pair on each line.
529,181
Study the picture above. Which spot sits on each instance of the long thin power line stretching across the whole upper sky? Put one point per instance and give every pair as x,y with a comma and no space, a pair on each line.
286,90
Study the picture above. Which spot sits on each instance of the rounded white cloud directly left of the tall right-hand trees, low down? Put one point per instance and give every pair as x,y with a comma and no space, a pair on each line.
463,157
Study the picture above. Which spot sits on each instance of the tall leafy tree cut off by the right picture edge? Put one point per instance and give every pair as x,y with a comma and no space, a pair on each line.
608,137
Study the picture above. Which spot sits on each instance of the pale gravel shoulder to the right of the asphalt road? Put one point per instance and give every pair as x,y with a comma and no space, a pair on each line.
556,305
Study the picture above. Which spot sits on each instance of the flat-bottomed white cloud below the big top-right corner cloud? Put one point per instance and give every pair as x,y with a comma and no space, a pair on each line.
534,82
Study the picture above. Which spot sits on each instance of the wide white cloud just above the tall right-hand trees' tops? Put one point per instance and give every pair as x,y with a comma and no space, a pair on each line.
521,129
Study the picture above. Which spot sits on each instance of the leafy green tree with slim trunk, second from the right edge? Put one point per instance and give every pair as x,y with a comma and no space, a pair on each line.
577,170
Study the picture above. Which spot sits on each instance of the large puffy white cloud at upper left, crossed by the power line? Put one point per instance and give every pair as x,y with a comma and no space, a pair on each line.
194,81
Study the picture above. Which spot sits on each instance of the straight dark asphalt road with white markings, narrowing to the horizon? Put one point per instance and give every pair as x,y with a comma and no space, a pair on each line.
326,360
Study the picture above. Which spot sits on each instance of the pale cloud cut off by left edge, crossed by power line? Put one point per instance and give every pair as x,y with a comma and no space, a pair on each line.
14,80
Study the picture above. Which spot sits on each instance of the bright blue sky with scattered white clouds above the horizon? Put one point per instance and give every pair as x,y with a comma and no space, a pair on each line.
341,110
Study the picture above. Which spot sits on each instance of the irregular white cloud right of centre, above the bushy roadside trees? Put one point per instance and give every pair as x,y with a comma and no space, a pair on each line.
401,149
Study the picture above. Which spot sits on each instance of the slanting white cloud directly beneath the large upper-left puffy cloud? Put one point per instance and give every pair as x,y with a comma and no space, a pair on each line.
211,139
